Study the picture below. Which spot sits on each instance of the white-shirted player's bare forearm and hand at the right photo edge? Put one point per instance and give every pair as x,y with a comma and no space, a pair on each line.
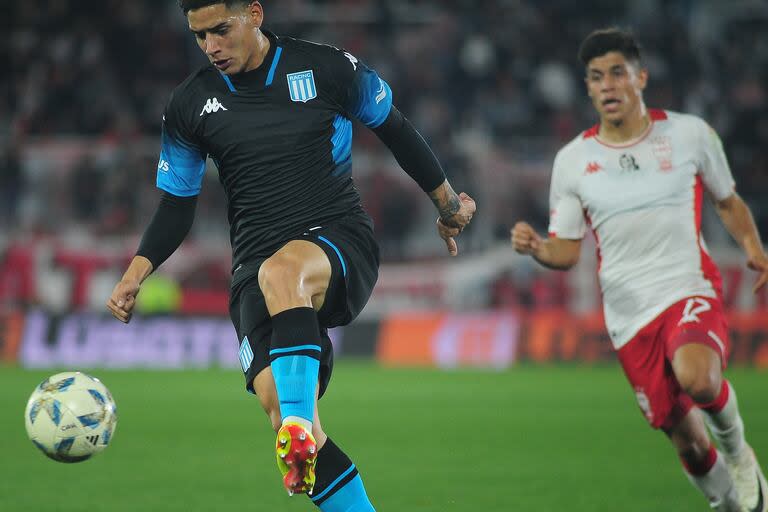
739,222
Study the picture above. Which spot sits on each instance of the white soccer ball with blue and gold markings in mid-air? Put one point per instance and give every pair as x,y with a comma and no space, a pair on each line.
71,417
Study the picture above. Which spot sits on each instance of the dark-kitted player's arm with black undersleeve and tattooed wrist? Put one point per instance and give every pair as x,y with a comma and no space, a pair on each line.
417,159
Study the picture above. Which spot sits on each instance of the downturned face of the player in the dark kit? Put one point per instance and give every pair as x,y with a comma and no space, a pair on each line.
228,37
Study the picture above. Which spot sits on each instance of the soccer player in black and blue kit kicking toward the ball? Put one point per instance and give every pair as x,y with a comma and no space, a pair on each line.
274,115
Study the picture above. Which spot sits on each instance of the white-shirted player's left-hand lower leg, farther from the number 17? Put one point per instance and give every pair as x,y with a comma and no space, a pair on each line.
704,466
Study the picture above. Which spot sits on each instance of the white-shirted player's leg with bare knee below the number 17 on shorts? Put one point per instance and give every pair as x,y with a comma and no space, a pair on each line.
698,368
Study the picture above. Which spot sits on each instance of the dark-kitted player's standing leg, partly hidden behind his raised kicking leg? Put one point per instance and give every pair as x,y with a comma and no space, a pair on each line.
338,486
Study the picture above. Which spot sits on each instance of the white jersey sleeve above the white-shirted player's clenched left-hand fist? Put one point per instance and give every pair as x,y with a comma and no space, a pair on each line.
566,213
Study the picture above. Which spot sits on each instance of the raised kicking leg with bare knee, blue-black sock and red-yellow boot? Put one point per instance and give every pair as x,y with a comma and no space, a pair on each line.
294,281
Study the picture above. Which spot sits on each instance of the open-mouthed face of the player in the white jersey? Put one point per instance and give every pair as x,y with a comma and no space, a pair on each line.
615,86
